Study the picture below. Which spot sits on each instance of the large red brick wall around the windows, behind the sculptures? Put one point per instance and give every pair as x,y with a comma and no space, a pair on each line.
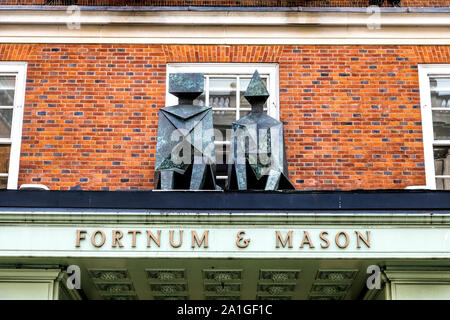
351,113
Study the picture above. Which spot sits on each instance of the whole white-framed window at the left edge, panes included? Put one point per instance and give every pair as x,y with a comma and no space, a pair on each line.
12,92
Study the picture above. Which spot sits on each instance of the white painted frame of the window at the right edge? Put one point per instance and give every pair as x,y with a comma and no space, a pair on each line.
425,72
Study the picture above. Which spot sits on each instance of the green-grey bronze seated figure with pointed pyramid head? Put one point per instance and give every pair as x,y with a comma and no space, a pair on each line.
257,154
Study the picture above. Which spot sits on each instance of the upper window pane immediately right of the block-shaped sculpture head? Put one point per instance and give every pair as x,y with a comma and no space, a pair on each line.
222,93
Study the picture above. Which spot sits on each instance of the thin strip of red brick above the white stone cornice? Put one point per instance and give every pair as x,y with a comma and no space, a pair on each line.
258,3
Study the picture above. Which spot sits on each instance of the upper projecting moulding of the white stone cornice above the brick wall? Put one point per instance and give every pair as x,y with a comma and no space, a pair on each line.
226,18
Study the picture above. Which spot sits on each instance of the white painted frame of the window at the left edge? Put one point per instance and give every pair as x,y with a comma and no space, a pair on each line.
19,69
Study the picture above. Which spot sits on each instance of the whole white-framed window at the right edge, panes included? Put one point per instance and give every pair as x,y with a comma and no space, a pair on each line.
435,103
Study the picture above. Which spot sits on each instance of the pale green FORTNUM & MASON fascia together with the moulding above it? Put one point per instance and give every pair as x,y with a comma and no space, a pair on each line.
392,235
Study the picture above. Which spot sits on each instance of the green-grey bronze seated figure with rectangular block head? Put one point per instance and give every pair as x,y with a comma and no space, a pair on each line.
185,156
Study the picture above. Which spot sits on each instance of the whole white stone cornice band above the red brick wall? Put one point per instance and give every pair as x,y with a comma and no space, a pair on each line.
191,27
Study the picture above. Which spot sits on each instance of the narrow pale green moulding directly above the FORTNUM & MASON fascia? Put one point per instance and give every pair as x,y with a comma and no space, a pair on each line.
114,217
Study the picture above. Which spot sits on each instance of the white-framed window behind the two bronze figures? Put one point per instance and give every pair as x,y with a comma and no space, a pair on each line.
225,84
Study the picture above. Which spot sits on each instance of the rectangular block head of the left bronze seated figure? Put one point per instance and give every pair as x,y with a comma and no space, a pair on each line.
186,86
